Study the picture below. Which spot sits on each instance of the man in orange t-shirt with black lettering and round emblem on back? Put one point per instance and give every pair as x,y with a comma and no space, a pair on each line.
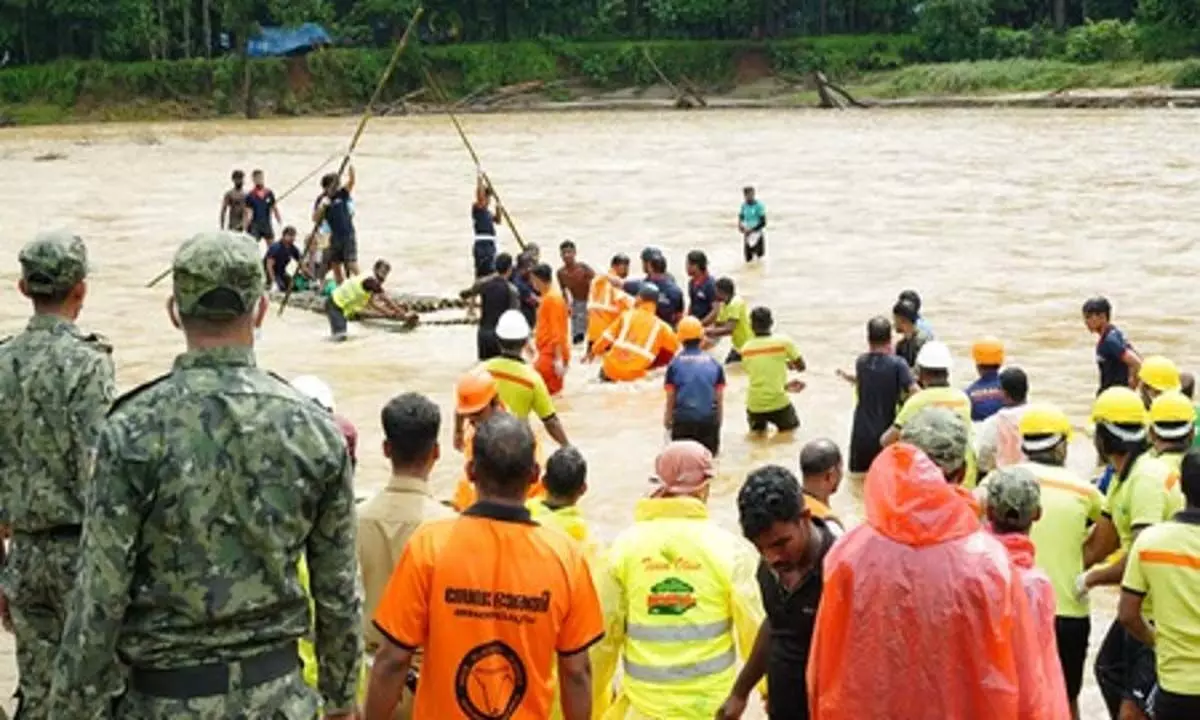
491,597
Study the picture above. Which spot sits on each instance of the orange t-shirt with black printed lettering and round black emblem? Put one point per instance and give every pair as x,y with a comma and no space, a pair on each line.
491,597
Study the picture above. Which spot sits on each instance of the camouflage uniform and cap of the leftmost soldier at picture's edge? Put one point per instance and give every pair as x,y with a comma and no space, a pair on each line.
56,387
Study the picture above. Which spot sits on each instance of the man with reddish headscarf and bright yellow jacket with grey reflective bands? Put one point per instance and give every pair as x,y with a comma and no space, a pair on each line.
683,595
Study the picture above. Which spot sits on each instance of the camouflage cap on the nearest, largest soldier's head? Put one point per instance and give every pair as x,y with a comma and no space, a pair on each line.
218,275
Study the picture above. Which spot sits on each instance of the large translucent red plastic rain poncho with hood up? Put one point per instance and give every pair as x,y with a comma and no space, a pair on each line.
921,609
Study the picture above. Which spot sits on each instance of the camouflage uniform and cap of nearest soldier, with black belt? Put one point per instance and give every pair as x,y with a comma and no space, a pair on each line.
211,483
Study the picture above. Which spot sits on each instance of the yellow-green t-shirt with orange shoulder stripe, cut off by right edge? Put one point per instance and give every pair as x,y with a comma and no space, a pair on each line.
1165,565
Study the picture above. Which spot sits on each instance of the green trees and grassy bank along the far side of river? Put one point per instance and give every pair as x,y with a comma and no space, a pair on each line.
125,59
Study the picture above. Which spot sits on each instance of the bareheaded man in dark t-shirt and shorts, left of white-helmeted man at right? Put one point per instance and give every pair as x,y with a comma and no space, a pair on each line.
881,381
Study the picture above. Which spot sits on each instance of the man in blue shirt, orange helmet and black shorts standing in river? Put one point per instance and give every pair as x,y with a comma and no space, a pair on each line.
695,385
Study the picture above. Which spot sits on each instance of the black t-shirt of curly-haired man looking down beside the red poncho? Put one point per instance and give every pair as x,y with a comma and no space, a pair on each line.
793,616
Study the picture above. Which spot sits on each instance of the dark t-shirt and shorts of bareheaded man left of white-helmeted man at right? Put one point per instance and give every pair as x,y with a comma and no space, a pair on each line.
883,380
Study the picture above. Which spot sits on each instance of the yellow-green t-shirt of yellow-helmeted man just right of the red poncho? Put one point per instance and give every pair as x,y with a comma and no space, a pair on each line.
1069,506
